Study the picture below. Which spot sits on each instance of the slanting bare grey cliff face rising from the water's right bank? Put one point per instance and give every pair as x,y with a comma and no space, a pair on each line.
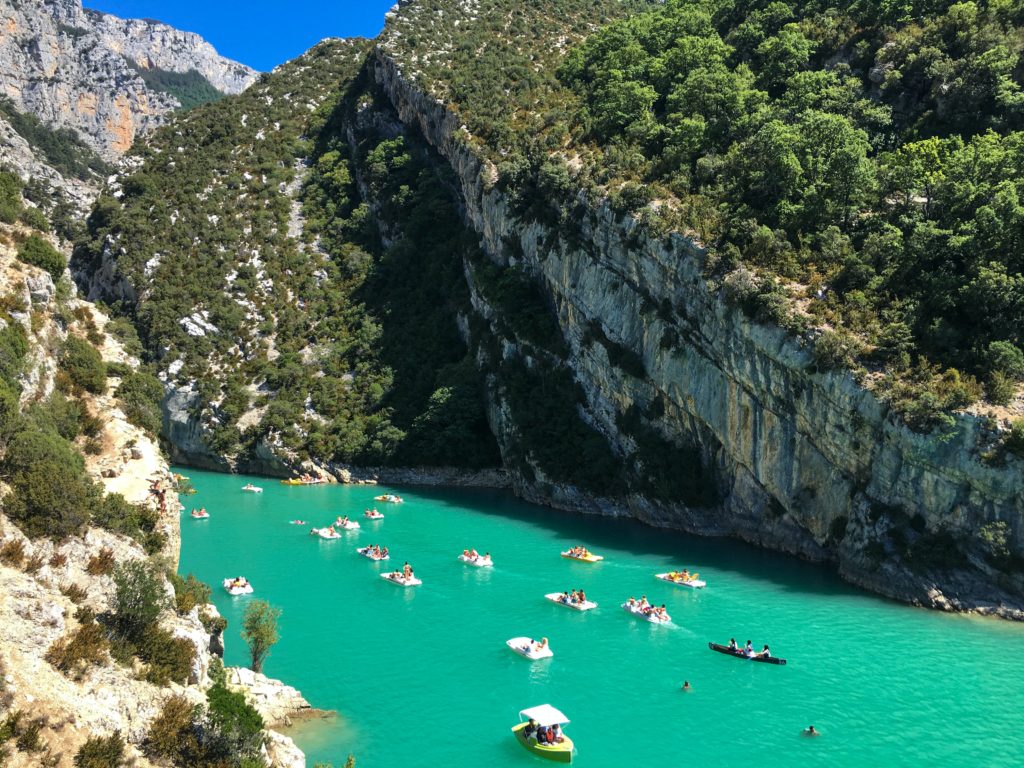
804,462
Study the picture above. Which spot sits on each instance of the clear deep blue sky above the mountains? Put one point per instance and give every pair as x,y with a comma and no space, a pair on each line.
260,33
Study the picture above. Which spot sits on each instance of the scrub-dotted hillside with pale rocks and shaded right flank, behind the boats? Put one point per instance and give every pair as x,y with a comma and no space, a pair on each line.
307,316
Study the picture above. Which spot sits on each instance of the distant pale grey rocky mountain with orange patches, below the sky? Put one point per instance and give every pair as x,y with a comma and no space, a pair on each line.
70,68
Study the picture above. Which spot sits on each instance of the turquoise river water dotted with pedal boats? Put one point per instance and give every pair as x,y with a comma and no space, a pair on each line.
422,677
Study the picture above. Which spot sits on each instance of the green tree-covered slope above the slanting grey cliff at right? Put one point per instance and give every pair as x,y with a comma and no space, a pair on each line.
854,168
